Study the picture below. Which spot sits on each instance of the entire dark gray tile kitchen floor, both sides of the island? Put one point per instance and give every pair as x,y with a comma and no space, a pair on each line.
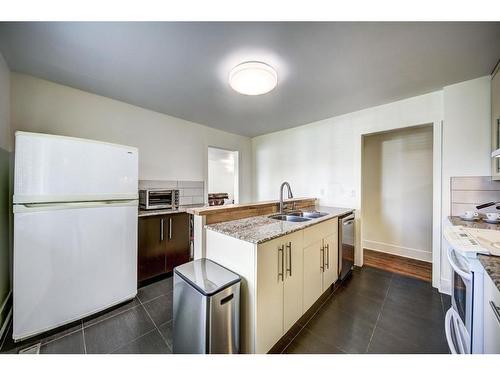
373,312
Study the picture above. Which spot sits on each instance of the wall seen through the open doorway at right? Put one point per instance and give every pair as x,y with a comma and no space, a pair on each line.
397,192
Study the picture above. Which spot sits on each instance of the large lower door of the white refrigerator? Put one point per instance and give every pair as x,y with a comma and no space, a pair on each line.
71,261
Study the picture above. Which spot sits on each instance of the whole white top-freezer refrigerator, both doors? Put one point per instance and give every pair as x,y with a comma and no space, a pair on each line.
75,229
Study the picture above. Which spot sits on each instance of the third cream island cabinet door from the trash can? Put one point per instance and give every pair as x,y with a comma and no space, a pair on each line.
313,274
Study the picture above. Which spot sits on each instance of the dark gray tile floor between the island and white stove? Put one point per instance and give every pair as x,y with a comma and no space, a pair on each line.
376,312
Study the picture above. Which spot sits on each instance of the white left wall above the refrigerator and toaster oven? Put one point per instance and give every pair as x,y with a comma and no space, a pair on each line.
169,148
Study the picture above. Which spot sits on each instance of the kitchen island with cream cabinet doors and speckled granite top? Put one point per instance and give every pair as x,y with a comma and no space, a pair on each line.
285,267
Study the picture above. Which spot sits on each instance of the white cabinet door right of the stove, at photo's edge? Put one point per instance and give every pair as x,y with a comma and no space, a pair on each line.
491,317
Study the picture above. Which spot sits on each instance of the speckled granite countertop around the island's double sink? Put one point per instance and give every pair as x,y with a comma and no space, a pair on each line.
259,229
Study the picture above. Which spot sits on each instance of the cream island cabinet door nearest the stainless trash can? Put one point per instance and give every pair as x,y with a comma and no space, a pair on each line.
270,277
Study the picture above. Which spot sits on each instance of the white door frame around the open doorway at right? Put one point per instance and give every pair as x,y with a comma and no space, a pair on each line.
437,172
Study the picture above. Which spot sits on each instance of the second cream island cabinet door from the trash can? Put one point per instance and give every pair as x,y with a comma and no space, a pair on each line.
294,279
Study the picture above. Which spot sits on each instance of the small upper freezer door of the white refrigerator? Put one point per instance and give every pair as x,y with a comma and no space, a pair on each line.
52,168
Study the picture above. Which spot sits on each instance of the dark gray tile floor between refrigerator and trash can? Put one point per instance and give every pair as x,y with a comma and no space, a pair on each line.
142,326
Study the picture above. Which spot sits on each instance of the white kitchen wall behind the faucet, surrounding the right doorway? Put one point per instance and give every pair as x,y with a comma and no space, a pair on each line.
323,159
